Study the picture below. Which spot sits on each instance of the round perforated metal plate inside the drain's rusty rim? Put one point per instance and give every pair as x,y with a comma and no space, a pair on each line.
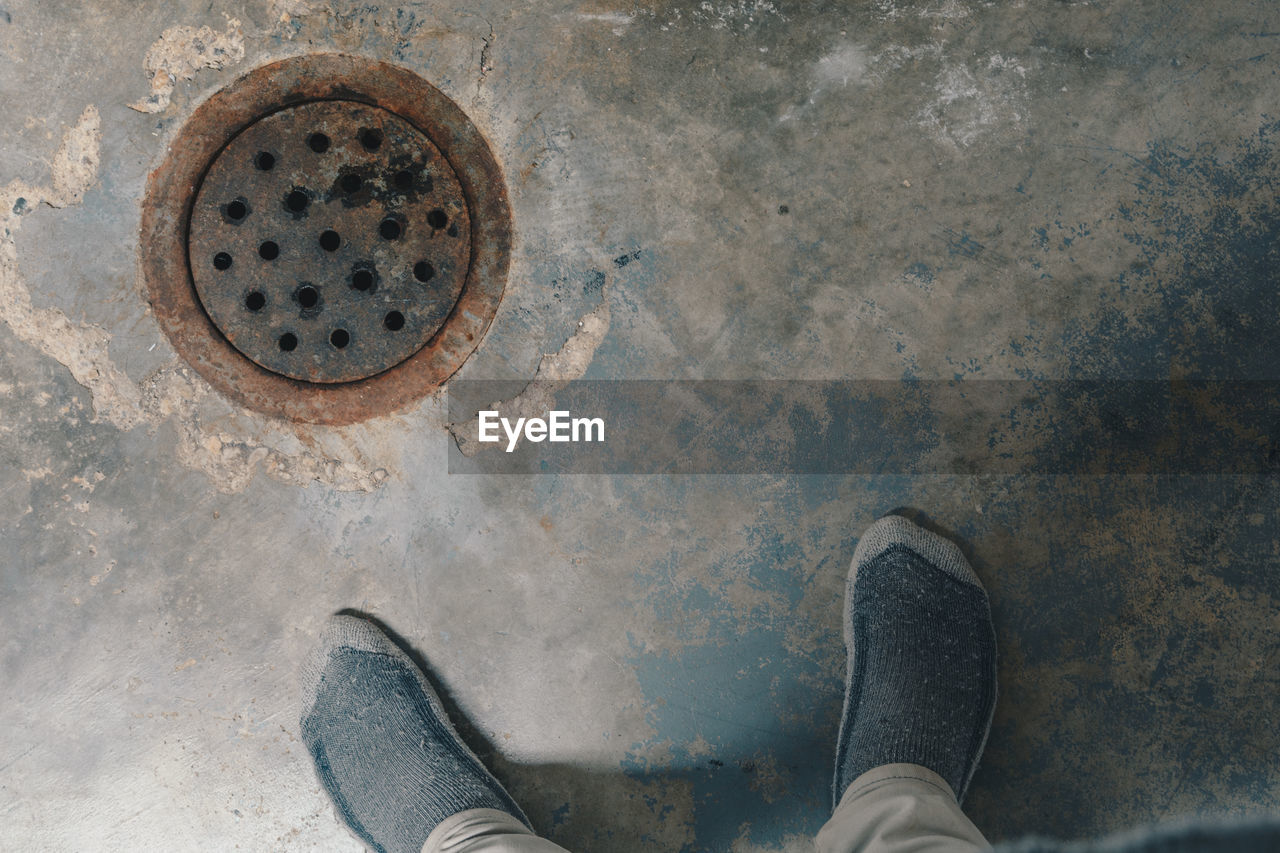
330,241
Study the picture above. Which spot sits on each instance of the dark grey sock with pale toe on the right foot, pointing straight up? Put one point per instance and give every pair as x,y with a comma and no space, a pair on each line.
921,686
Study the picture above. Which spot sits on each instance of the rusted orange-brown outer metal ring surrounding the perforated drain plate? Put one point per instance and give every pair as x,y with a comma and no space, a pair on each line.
167,220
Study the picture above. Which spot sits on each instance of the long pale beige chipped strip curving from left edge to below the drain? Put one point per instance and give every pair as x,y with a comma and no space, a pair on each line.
171,394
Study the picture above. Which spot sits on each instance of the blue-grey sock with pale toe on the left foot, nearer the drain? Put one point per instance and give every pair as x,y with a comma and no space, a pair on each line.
382,743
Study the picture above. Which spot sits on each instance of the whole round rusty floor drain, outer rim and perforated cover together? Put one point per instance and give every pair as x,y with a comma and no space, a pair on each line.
328,239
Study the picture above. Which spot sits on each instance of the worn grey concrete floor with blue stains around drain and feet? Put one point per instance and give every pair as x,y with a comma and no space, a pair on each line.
886,190
